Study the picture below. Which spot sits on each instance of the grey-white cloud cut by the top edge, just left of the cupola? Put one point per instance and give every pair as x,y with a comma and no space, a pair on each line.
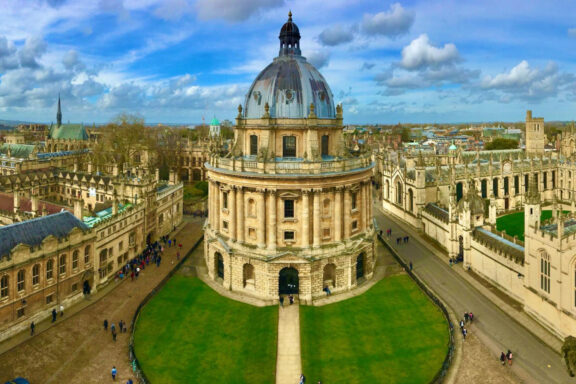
233,10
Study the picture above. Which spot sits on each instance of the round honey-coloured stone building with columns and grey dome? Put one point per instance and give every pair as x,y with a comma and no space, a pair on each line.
290,207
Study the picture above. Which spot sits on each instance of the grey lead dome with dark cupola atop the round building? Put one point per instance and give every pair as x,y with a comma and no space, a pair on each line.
290,84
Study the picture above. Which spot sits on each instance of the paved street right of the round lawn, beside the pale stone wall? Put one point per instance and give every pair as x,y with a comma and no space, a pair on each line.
497,323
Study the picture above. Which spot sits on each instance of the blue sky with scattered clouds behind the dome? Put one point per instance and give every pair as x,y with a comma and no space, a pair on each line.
175,61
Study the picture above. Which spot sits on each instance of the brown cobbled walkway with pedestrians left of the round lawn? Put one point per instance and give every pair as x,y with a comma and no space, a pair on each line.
76,349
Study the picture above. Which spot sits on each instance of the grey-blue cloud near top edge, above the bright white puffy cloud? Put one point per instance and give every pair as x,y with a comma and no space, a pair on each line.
396,22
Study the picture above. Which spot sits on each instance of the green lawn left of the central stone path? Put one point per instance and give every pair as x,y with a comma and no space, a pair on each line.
189,334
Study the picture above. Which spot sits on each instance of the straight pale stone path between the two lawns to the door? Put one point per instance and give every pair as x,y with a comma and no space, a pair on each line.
288,359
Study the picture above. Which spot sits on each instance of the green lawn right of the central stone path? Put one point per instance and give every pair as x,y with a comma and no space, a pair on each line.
391,334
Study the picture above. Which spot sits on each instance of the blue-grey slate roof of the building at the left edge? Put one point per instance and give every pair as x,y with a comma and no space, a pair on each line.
32,232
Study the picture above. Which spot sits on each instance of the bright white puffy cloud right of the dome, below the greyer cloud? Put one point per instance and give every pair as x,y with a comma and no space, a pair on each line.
421,54
